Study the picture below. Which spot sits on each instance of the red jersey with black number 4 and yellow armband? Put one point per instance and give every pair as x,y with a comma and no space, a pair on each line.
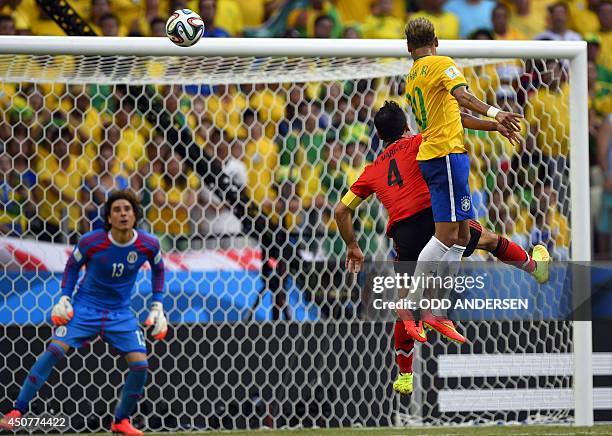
396,180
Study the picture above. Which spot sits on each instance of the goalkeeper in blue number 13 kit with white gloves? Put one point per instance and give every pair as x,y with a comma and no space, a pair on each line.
112,259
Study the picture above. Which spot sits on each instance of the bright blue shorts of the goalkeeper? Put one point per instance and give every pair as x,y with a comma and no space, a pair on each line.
118,328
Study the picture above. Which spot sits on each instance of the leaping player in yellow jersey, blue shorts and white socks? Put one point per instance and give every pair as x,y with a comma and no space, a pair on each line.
436,90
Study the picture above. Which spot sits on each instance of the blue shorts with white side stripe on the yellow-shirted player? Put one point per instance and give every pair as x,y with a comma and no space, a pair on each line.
447,179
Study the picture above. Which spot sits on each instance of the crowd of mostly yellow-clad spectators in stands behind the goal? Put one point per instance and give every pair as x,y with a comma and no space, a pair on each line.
296,148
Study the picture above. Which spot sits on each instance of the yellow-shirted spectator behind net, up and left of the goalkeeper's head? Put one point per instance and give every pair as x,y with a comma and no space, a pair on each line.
59,182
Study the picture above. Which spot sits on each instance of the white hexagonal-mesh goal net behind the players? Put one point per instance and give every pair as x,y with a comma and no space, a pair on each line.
238,162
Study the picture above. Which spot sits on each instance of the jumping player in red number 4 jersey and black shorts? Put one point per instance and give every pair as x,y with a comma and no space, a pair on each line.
396,179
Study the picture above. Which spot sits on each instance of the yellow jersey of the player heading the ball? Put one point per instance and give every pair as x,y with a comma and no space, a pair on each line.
429,87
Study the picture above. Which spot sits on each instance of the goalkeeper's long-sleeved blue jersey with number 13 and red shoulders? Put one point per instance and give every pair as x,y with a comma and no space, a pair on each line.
111,269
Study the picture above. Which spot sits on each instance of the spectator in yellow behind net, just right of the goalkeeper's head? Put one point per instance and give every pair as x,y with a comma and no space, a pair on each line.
174,194
